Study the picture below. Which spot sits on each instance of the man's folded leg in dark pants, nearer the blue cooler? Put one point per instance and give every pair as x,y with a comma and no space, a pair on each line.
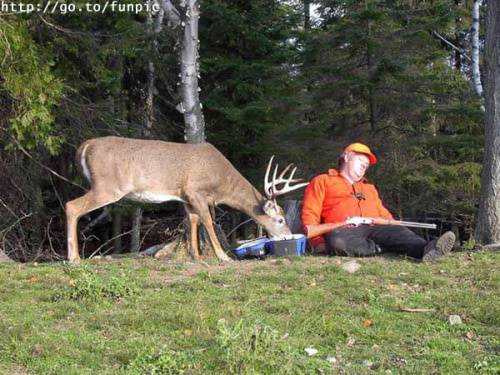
352,242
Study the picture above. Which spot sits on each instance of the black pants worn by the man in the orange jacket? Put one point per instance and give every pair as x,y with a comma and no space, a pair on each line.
368,240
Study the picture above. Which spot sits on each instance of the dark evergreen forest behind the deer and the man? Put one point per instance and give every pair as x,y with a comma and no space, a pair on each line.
275,78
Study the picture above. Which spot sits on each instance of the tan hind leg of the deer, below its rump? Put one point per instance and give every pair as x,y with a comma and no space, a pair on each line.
76,209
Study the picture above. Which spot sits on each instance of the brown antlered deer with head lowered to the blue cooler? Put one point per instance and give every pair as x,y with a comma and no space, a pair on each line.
198,175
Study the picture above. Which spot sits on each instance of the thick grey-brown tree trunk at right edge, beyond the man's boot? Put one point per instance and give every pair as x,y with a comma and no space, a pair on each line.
488,226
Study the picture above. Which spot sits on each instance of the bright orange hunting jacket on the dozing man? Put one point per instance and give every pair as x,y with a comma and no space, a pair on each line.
330,198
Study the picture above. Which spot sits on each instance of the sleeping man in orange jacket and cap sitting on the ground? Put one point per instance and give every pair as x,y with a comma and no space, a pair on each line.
339,196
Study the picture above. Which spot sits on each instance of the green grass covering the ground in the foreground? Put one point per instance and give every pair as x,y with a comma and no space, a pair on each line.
141,316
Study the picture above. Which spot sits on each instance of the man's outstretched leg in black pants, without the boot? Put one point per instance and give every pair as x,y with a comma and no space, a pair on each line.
398,239
